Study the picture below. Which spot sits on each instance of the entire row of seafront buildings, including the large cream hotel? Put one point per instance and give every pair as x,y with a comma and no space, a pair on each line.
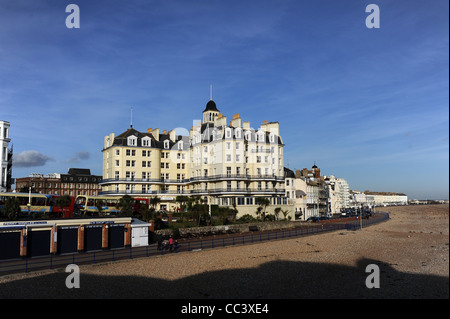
224,162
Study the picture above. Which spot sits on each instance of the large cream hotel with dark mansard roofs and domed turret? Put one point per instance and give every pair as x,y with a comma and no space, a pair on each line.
226,163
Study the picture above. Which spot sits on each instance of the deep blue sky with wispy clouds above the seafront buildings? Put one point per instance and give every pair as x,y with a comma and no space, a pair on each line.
367,105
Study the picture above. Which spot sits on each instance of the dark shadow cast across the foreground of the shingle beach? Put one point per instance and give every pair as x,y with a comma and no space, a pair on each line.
272,280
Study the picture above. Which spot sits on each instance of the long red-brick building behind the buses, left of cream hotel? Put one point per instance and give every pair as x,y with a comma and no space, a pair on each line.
78,181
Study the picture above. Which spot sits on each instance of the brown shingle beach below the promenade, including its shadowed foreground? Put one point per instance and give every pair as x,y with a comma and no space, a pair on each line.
411,251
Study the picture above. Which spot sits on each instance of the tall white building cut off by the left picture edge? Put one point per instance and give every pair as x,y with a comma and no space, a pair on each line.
5,157
